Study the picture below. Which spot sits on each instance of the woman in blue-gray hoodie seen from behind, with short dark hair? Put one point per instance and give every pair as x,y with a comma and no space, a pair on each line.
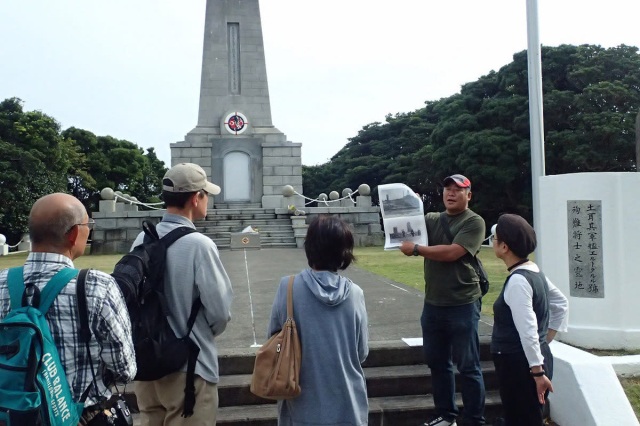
331,320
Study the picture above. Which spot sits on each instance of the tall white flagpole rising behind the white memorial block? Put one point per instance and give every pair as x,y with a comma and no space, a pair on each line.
535,114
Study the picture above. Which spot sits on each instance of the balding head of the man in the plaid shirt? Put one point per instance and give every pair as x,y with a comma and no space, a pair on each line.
51,218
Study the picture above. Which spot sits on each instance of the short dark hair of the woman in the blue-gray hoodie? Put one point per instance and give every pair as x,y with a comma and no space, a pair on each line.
329,244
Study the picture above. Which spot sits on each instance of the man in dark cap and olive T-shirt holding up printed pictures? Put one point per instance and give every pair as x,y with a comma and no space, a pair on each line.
452,305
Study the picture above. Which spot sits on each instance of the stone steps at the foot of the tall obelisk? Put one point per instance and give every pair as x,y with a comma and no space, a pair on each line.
275,229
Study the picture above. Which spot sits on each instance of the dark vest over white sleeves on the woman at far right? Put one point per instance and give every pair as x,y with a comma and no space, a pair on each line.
505,338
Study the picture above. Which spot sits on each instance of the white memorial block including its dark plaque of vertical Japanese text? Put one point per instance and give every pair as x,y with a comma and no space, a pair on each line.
590,235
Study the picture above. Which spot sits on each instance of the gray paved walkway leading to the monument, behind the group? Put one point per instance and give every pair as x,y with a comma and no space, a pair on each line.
393,308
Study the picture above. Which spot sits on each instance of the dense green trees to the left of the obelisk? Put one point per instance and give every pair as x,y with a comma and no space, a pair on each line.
38,158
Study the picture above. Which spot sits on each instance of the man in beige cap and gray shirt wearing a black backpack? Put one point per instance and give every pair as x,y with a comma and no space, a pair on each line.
193,269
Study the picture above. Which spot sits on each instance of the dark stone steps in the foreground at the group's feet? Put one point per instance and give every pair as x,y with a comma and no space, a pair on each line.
399,387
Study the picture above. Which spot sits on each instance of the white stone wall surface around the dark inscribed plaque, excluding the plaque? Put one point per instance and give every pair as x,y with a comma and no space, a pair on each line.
613,321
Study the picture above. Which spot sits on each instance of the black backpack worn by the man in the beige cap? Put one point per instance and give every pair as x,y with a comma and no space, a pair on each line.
140,276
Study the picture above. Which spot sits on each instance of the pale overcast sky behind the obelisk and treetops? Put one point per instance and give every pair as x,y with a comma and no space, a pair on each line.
131,68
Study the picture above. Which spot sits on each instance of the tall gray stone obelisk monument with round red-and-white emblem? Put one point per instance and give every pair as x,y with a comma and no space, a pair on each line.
235,141
